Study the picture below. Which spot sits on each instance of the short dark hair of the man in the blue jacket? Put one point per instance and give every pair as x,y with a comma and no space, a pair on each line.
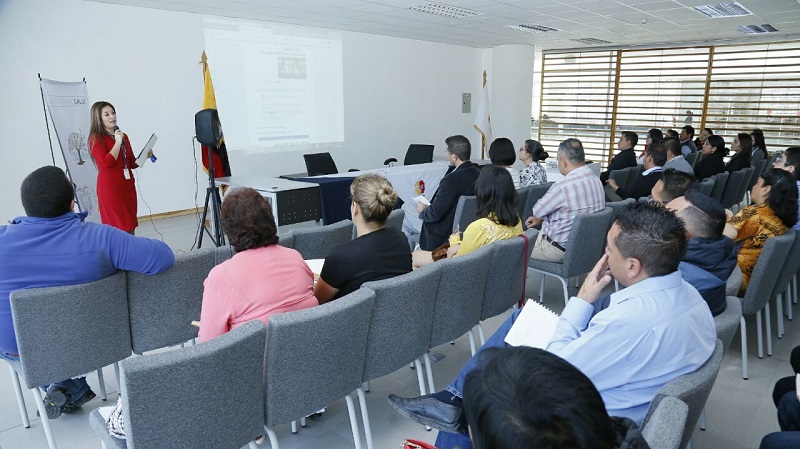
47,193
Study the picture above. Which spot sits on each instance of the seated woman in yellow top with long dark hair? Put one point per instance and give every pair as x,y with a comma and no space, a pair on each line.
497,216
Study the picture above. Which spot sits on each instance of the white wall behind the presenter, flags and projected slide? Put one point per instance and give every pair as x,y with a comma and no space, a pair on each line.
396,92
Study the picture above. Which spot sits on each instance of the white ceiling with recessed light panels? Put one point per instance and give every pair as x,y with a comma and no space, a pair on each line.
624,23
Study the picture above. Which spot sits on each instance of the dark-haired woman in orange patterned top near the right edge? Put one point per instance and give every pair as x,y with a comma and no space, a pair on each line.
774,210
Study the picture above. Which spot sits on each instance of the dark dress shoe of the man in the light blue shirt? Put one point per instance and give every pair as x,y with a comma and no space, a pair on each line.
431,412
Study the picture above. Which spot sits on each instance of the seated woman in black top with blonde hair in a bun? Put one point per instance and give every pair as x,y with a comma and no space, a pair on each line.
378,252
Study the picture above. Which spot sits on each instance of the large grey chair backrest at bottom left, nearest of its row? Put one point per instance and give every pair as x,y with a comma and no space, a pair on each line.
211,394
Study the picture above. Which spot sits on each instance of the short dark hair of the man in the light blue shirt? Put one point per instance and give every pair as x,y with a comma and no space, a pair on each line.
653,235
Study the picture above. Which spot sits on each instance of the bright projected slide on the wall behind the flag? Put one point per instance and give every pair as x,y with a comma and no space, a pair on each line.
278,87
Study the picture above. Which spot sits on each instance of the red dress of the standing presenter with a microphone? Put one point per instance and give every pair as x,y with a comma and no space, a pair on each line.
116,195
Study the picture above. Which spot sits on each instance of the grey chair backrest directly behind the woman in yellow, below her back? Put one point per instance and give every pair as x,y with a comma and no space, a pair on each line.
459,296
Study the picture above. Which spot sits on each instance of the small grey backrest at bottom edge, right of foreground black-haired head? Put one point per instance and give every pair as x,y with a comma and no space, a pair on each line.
665,428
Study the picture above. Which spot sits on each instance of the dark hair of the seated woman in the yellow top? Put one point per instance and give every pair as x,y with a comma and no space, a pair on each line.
496,195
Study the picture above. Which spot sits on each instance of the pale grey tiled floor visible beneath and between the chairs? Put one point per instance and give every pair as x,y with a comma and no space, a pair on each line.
739,412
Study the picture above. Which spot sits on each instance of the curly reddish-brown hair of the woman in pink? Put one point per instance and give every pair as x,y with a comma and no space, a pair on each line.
247,220
